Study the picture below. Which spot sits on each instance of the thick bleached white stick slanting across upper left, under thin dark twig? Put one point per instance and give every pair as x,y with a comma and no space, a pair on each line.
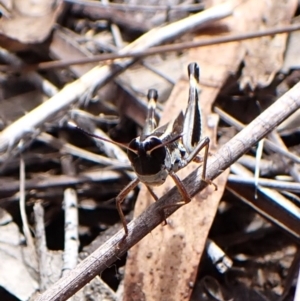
98,76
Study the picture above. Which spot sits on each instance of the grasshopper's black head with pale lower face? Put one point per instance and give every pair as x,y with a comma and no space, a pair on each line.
147,157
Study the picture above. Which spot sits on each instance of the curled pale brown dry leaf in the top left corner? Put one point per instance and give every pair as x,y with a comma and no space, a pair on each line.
27,22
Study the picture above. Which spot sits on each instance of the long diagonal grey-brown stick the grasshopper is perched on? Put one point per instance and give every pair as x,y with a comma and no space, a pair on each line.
115,247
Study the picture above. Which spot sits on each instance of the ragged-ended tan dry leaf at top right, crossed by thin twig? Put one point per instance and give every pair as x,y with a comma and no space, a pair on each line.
264,56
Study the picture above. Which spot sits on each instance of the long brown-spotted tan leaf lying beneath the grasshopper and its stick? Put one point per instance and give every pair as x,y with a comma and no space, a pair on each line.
164,265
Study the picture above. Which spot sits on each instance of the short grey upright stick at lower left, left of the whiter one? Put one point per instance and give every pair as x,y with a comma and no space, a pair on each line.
40,242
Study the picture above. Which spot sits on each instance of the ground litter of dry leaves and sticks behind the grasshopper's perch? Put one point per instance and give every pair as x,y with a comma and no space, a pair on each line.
237,242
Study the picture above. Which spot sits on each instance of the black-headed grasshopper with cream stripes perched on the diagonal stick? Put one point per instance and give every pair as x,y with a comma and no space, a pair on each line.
162,151
